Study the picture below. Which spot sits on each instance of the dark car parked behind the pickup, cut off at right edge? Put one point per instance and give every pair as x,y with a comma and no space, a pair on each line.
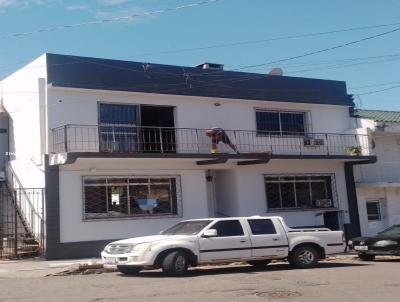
386,242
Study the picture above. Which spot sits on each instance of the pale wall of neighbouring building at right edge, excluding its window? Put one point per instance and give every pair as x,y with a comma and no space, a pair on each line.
382,179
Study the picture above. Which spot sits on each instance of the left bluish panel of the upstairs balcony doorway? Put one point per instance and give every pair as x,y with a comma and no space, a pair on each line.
118,131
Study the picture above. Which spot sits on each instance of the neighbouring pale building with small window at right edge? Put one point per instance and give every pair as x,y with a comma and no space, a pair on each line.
378,185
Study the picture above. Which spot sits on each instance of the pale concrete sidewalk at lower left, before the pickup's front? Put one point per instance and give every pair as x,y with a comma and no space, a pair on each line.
38,267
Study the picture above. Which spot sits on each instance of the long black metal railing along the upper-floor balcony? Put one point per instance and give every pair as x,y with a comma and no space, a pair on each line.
136,139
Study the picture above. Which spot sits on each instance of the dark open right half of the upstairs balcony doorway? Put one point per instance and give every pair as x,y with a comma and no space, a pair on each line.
157,131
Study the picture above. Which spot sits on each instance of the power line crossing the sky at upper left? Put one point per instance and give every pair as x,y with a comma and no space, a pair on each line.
110,20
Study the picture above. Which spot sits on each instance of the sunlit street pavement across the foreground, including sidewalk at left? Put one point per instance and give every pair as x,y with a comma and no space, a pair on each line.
339,279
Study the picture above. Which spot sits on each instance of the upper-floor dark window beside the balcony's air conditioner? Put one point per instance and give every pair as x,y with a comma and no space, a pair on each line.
280,122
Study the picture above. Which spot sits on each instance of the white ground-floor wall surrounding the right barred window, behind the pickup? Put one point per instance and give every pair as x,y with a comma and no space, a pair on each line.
241,191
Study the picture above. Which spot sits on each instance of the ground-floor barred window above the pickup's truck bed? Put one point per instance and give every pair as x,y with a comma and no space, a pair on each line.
300,191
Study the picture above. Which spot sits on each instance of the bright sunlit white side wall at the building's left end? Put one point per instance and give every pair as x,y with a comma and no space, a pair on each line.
23,100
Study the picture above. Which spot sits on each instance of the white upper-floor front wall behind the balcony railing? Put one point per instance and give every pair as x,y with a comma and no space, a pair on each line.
79,106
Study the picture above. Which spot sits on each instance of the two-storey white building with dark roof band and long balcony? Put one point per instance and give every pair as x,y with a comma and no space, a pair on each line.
121,149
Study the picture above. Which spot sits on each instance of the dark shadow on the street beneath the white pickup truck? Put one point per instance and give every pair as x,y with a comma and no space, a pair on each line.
242,269
